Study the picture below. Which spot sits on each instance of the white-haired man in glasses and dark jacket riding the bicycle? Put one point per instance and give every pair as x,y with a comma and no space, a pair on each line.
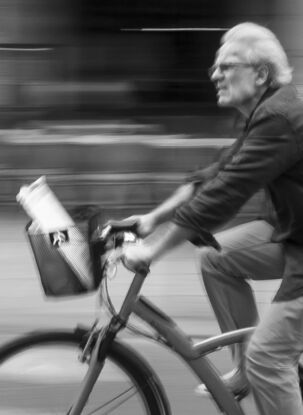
251,73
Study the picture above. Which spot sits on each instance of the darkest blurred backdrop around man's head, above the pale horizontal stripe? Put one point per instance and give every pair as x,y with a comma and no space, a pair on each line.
89,59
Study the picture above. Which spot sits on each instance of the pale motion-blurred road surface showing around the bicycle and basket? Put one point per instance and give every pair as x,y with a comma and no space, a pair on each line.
174,285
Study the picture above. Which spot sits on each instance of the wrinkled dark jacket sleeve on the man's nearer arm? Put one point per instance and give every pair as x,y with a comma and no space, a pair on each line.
267,151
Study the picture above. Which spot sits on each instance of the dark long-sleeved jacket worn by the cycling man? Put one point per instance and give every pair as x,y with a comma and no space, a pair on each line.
269,154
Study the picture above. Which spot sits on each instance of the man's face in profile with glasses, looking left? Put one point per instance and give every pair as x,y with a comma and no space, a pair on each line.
236,80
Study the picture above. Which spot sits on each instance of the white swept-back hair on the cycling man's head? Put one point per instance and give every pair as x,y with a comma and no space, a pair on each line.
262,47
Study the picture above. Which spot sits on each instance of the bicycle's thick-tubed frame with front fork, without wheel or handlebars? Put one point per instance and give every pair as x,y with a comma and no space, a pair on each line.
174,338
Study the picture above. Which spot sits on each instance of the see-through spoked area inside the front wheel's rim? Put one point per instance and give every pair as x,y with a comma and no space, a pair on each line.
51,376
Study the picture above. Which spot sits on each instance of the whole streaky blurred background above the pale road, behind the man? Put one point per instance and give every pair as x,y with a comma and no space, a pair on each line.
127,79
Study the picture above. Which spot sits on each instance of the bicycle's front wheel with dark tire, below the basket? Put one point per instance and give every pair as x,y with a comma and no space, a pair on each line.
28,349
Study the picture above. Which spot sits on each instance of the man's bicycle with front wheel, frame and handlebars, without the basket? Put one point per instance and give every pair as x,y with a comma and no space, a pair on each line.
113,377
